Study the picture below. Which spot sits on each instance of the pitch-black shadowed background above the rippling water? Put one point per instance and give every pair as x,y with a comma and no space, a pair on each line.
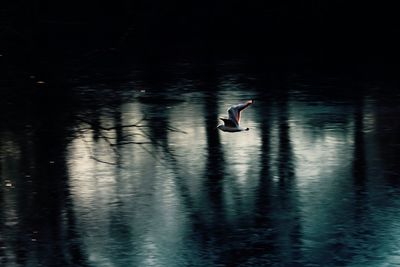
333,35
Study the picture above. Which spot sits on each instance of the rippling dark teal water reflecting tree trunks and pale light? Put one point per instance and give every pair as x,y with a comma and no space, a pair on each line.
134,173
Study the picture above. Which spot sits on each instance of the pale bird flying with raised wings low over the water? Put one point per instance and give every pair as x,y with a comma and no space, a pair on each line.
231,124
